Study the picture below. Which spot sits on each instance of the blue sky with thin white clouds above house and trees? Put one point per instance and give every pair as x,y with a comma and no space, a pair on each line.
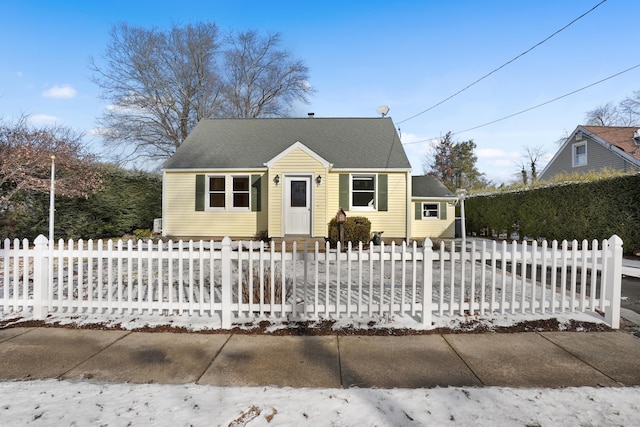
409,55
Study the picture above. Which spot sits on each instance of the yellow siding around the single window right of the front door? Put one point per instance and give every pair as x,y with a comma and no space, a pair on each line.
393,221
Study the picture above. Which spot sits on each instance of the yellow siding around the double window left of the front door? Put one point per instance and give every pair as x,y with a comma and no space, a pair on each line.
180,218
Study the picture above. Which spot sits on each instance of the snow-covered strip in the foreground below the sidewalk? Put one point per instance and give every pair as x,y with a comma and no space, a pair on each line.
52,402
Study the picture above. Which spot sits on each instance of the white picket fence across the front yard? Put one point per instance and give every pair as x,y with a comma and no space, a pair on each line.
232,282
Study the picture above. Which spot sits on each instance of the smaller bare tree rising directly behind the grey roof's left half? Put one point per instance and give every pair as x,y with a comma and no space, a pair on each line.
260,79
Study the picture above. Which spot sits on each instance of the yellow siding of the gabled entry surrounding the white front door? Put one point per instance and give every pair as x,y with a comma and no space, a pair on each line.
298,162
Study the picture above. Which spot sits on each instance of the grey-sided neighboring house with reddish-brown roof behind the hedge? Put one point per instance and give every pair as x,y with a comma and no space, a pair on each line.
593,148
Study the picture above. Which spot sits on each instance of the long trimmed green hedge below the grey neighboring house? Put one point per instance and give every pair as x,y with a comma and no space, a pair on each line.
572,210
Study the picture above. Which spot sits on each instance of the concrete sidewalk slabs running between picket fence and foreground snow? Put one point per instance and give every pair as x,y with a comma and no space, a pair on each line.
546,359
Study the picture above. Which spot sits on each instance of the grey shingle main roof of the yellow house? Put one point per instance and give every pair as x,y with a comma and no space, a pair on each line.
355,143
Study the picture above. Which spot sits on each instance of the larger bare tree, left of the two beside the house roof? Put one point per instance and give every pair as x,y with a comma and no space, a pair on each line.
159,83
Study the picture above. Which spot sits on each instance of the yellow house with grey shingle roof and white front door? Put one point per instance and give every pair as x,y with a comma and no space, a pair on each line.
287,177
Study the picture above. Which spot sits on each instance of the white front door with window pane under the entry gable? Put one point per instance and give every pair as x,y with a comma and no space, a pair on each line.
297,205
